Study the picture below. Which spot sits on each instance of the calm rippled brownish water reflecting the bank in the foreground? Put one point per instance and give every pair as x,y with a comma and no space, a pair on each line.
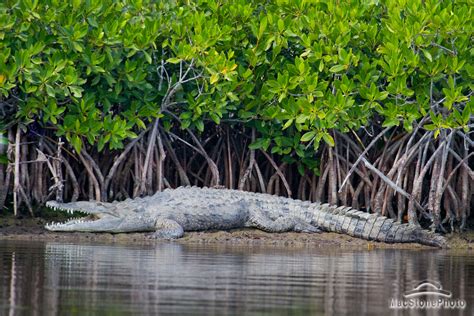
47,278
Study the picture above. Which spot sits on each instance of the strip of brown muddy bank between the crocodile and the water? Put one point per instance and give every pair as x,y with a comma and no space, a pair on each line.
33,229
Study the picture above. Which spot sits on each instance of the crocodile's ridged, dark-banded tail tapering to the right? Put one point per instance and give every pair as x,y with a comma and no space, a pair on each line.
373,227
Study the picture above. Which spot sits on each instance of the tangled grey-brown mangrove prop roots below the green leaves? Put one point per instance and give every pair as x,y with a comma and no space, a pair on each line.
409,177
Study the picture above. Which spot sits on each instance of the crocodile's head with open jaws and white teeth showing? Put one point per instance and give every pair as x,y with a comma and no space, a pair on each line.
101,217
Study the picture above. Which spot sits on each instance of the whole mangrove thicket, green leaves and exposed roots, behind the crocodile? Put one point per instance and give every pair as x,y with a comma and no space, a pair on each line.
362,103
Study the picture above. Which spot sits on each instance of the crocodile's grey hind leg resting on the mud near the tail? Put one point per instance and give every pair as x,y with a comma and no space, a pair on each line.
281,224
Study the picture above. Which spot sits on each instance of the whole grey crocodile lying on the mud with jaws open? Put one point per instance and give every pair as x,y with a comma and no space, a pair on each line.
169,213
